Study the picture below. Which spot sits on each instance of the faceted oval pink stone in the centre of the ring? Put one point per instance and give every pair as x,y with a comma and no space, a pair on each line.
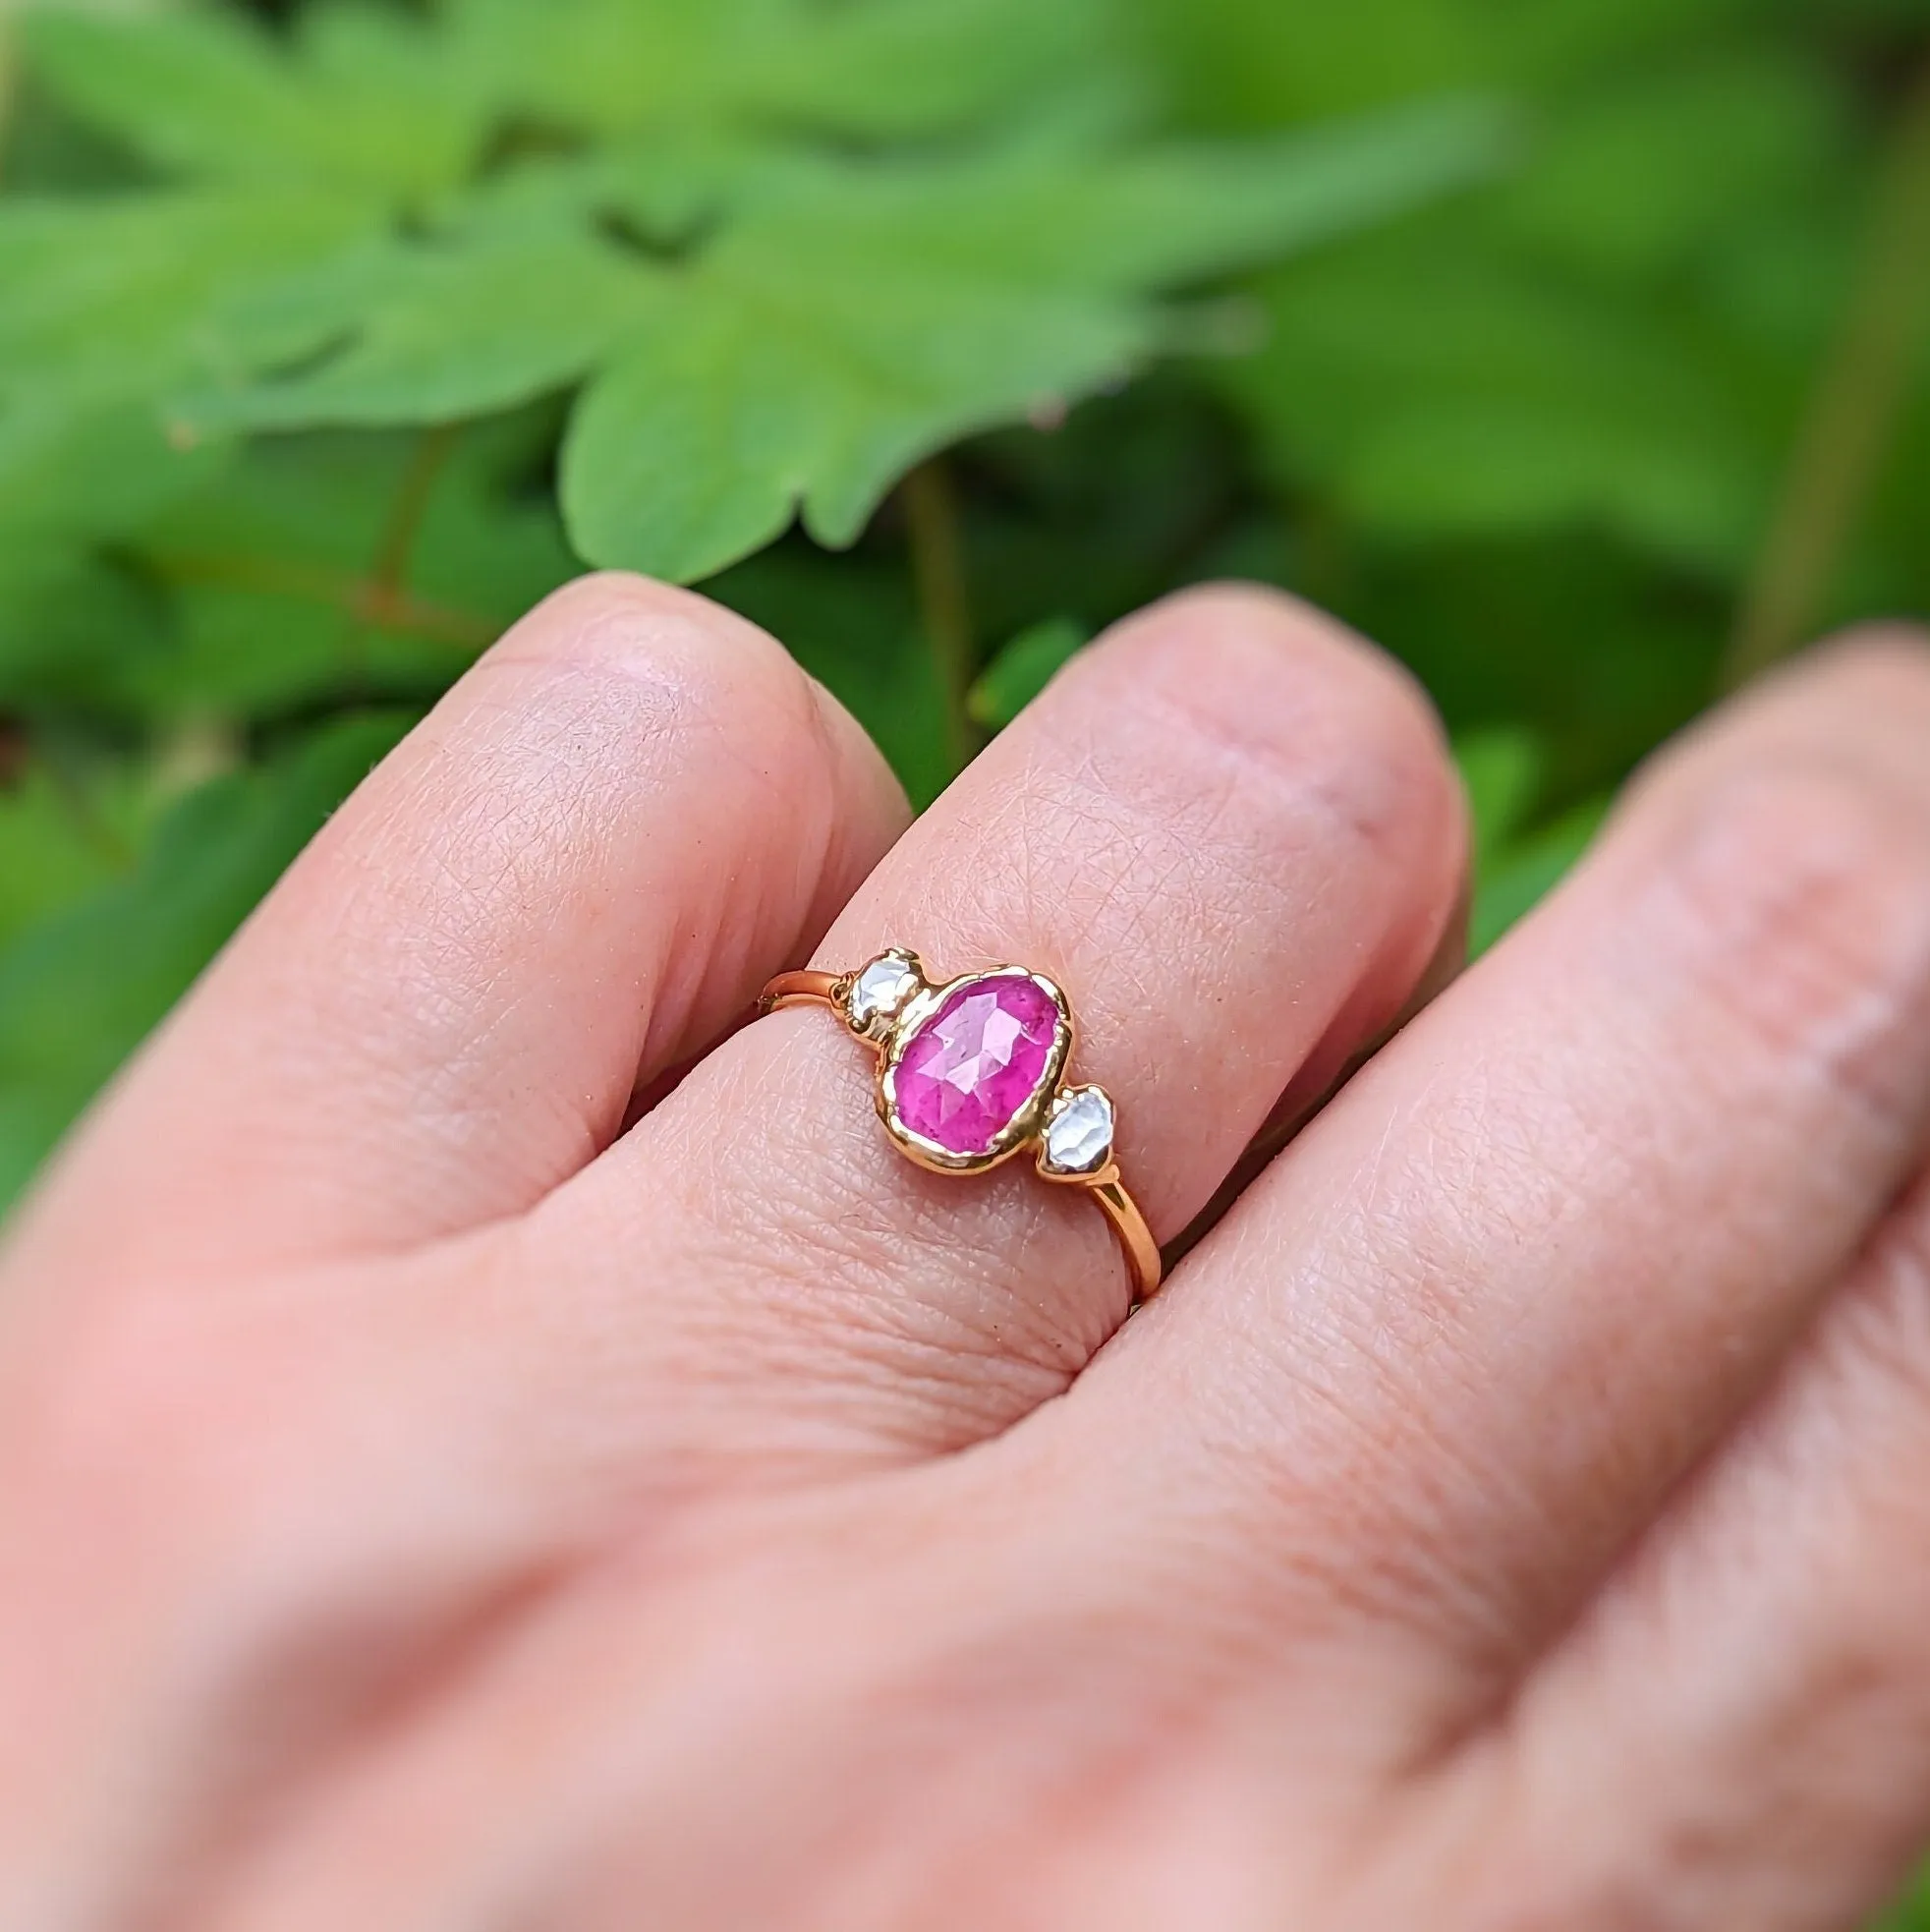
977,1062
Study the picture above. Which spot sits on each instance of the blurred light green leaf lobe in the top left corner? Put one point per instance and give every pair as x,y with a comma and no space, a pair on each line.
210,96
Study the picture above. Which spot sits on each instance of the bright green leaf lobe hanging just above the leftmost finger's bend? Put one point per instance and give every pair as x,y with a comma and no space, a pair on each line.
752,391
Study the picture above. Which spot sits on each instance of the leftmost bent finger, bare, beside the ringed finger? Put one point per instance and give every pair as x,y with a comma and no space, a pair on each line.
571,876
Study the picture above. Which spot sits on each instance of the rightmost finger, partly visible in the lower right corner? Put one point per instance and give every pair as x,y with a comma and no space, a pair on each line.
1742,1726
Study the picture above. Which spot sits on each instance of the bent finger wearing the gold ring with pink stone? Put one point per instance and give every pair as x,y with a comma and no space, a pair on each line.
1234,838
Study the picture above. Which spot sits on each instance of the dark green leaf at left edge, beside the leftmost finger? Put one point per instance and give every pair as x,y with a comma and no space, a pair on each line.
80,990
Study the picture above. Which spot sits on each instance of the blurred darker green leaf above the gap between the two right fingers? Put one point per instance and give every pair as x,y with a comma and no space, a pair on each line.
1446,387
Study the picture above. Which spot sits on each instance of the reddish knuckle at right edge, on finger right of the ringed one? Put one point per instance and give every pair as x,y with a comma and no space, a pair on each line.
1805,899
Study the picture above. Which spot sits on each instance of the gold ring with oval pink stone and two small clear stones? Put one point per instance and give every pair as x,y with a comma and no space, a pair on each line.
973,1071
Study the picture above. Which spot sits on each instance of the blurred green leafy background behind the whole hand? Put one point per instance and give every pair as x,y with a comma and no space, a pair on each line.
1566,347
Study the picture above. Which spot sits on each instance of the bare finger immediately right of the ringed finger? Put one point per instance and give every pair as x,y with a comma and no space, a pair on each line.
1465,1338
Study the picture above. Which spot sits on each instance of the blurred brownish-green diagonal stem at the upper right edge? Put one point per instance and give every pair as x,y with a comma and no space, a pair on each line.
1852,414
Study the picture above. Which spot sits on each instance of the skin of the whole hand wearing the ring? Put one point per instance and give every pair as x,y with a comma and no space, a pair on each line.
459,1477
